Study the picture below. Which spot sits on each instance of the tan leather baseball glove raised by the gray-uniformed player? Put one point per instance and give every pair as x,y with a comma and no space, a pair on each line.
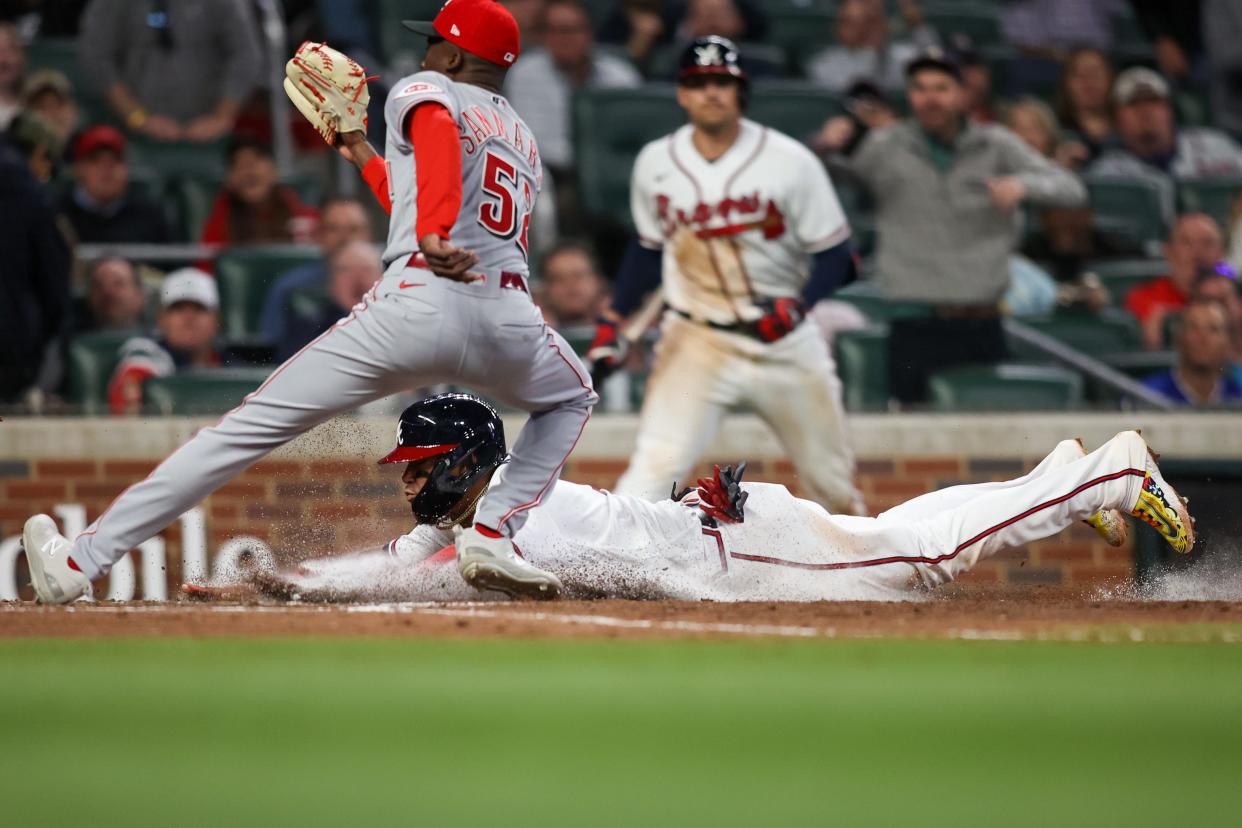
330,89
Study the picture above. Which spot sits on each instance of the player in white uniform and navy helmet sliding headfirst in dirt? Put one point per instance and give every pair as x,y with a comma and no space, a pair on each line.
726,538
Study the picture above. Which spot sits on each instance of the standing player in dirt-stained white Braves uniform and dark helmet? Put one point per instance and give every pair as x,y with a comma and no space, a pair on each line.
746,230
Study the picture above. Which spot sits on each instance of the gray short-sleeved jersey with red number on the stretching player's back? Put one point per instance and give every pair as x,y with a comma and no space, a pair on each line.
501,172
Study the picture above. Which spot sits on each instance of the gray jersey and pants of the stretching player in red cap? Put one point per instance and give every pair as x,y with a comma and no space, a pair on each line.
412,330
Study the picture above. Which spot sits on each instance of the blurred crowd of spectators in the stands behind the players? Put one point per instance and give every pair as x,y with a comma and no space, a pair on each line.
995,160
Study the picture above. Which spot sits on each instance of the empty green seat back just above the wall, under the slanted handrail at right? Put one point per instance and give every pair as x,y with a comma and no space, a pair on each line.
1007,388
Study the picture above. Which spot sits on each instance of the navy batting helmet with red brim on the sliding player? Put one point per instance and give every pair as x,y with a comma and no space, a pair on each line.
466,438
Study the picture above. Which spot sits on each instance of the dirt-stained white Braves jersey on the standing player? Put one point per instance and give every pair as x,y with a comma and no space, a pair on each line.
737,229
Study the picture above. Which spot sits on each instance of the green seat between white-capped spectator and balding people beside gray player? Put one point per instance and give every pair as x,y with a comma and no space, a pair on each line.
245,275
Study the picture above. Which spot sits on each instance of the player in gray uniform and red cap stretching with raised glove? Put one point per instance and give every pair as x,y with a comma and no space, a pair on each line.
463,166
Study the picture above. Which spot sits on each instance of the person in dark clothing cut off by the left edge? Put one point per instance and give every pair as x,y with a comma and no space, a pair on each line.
34,256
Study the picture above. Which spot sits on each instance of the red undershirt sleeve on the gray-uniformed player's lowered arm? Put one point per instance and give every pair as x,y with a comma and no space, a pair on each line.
439,163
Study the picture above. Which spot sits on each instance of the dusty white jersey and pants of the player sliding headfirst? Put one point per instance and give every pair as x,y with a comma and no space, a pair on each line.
787,548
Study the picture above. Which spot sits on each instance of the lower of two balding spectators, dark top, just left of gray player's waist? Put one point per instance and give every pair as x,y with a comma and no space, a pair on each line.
352,271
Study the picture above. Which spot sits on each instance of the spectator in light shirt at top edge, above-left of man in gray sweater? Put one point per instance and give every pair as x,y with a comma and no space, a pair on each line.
864,50
